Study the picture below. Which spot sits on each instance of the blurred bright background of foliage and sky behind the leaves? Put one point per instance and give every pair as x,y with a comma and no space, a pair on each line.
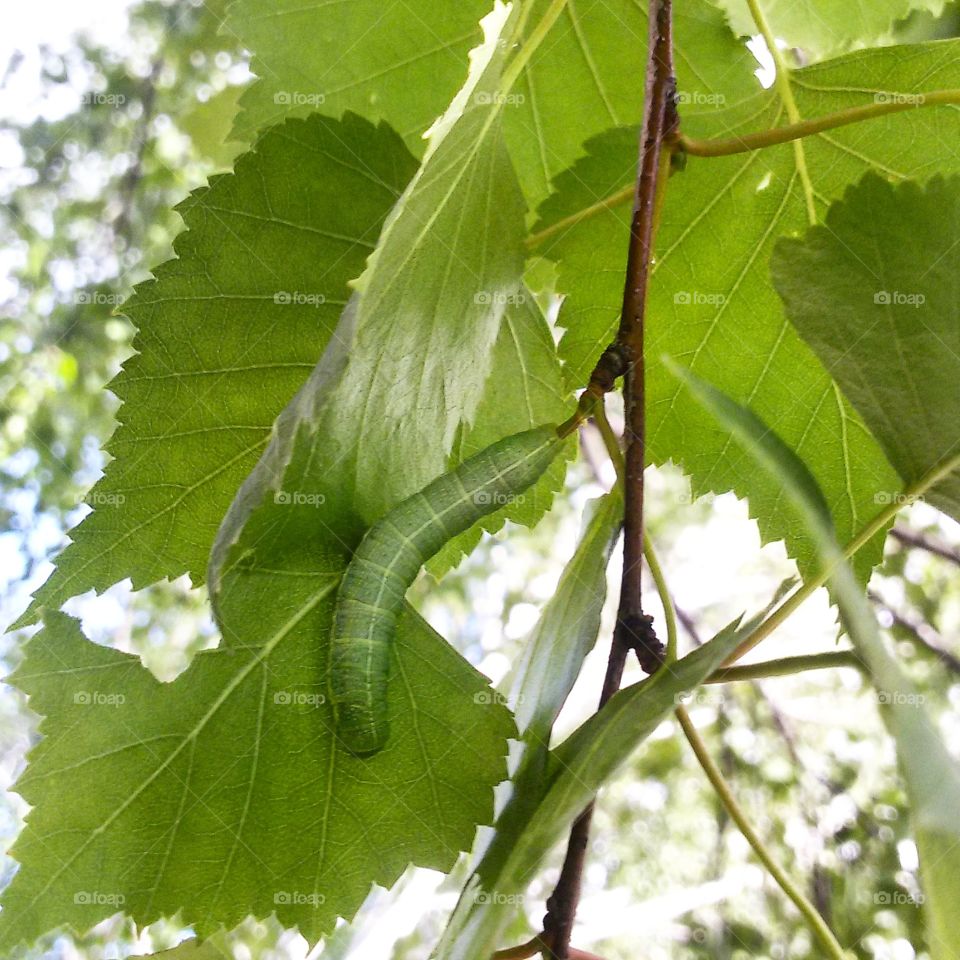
108,118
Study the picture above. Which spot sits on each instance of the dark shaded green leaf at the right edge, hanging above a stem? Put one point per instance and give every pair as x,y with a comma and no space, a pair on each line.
874,293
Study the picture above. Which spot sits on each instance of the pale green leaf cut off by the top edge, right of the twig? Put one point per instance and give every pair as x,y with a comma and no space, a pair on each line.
824,27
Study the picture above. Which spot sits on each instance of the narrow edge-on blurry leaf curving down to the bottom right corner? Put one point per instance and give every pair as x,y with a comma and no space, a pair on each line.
932,775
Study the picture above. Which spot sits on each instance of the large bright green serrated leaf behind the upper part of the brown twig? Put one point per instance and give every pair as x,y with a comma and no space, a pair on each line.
712,304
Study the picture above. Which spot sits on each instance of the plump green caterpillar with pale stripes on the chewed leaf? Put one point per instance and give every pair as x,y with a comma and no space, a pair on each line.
388,559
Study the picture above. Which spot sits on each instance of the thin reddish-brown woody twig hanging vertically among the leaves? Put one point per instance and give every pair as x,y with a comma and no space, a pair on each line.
625,356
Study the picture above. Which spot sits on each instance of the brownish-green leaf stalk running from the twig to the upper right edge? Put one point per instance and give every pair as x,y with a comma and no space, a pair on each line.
727,146
